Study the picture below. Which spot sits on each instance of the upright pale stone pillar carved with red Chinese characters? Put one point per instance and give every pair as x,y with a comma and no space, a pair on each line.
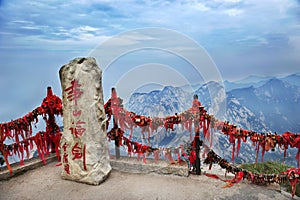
84,148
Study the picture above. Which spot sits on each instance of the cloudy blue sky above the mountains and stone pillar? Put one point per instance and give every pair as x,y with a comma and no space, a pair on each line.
237,38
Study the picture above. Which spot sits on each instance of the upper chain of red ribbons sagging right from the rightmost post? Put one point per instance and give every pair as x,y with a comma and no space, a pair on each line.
263,141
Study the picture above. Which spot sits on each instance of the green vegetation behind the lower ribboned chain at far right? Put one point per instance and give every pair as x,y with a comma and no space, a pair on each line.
271,168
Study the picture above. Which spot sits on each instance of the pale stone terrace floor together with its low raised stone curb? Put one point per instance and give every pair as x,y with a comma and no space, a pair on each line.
130,179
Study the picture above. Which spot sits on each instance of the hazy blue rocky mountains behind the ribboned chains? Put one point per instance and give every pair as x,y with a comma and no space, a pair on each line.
261,104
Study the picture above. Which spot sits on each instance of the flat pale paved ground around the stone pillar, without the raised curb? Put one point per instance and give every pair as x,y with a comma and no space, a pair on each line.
46,183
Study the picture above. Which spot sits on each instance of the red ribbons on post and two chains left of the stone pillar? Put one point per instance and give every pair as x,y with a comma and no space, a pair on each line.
20,131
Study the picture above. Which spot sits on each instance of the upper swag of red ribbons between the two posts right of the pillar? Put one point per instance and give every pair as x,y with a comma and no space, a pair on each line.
196,115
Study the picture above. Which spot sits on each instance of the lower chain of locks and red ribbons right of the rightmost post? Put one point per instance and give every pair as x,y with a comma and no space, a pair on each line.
292,175
